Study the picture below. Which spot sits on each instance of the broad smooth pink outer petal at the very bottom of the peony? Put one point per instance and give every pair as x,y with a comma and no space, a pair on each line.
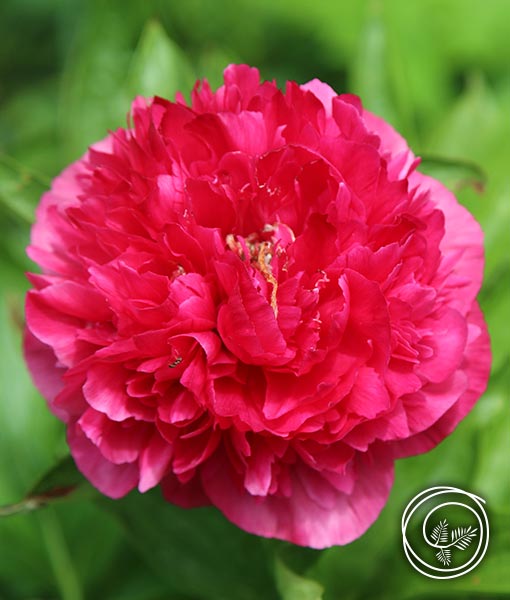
299,518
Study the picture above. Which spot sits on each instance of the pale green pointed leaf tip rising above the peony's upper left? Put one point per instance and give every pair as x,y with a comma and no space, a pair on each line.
158,66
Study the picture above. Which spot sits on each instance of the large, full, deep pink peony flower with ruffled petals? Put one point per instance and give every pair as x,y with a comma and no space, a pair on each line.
256,302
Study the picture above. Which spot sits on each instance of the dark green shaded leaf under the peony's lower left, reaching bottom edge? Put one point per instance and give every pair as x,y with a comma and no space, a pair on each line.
195,552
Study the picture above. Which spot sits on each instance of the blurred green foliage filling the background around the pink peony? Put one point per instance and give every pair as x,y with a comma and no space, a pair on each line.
439,70
